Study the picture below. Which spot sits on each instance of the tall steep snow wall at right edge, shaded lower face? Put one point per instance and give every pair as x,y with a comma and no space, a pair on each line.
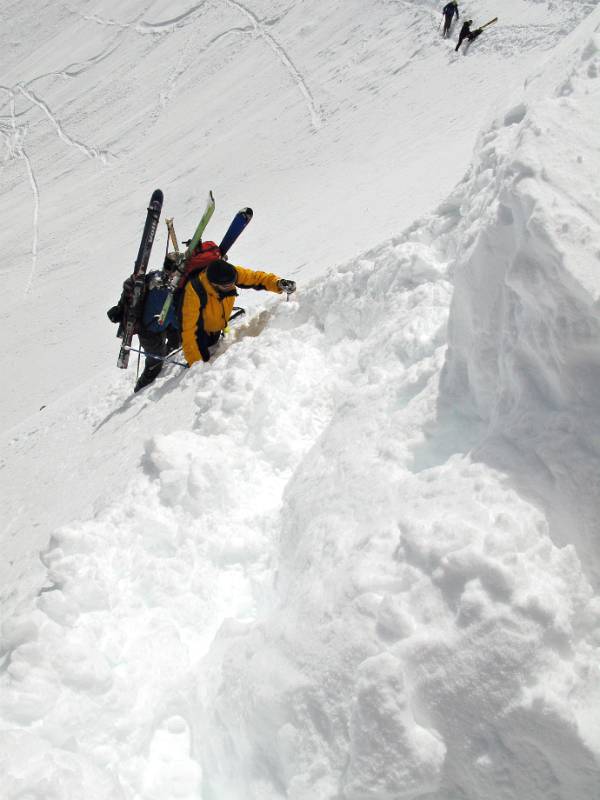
524,337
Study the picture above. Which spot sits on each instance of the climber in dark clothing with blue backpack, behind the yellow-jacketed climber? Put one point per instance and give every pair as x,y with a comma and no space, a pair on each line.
154,339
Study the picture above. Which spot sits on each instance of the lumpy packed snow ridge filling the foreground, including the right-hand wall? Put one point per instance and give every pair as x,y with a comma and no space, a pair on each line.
369,568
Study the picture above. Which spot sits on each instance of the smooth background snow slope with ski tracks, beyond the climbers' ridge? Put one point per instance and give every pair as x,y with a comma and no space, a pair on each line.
322,116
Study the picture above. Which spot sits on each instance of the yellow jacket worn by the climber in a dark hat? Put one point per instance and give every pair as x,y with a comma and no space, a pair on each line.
205,312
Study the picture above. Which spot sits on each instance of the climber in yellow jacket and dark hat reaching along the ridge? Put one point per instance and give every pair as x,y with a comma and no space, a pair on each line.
208,298
